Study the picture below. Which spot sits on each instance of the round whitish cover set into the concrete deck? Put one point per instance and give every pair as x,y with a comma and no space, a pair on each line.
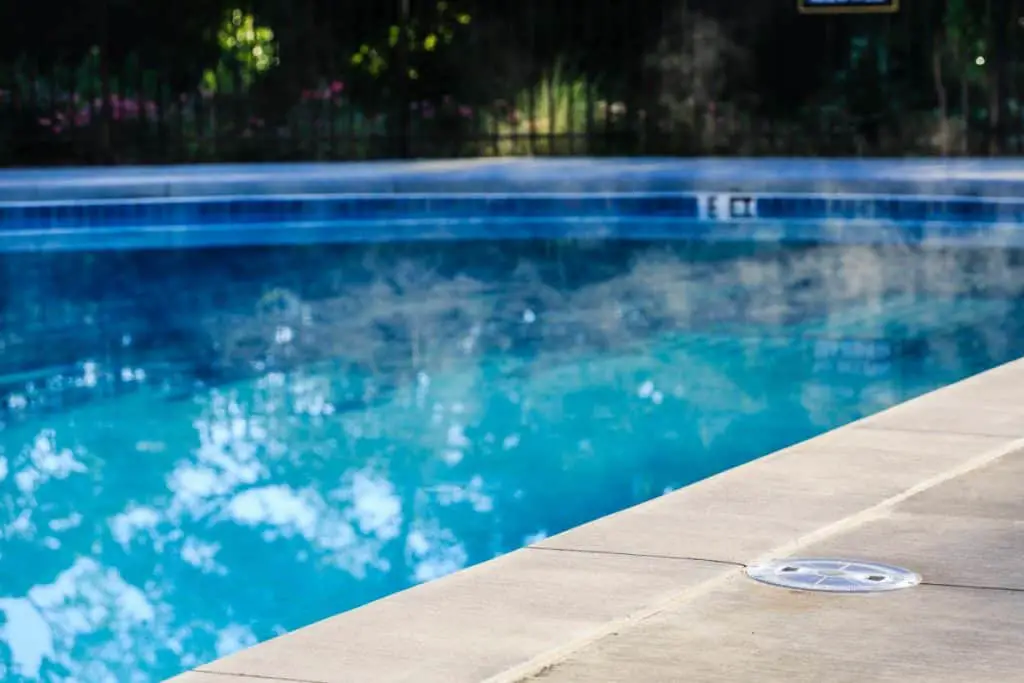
833,576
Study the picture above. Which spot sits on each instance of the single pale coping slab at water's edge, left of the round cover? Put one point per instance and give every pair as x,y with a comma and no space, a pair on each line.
490,619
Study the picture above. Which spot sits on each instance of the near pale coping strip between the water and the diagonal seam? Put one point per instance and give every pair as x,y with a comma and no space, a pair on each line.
526,614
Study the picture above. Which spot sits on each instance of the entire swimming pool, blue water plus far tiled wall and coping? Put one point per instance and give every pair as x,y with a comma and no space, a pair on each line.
205,443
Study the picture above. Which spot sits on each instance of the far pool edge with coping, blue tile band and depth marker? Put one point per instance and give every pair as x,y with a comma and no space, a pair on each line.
970,202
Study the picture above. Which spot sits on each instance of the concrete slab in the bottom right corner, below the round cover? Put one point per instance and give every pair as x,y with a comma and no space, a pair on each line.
750,632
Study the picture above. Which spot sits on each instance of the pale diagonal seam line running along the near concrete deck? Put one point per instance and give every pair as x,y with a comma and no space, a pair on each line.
551,658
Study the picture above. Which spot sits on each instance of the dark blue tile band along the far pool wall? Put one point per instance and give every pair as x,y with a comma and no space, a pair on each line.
241,212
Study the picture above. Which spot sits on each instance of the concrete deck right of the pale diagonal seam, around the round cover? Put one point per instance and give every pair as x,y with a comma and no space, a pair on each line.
966,624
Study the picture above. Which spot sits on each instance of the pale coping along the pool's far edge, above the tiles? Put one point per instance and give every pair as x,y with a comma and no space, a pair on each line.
960,177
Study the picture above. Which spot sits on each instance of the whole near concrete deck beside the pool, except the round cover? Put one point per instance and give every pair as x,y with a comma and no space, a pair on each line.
657,592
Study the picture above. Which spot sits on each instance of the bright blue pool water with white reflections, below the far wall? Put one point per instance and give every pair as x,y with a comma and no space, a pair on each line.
201,450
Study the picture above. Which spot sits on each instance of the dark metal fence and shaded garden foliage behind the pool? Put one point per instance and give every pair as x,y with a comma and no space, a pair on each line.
271,80
